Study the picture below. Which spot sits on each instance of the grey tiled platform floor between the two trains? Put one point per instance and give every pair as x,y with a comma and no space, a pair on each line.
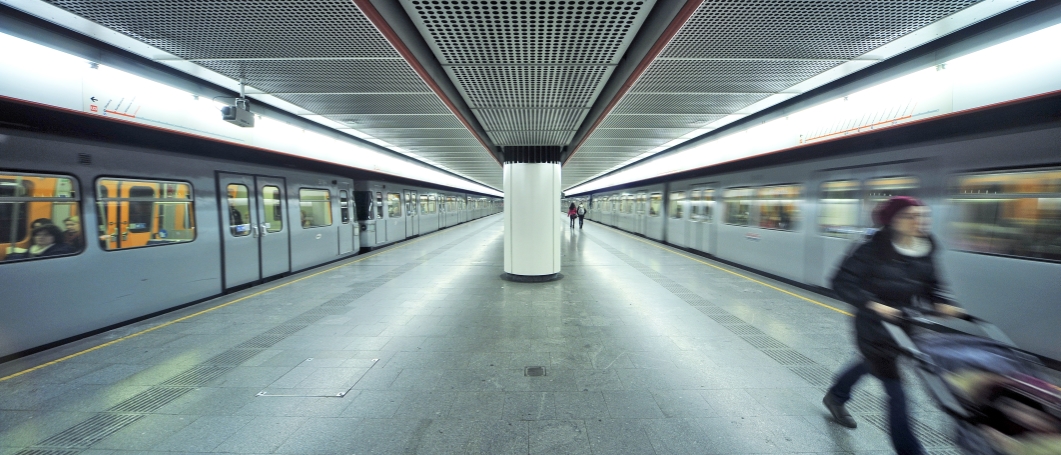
422,348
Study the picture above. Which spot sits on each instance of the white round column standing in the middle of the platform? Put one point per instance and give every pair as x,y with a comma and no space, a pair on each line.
533,220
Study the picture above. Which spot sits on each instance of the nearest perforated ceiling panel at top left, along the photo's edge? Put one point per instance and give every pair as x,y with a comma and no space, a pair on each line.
240,29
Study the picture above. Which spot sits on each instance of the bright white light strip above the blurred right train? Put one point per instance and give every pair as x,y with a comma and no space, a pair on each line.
1027,66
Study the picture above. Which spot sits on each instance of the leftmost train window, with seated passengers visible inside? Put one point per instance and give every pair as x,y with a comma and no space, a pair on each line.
40,217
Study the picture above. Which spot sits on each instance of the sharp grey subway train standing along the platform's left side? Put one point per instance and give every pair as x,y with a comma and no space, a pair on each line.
95,235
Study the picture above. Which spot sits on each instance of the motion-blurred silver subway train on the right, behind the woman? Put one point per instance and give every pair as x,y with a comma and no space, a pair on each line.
996,204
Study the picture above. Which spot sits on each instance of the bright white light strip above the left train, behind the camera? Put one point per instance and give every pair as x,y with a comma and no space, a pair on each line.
41,75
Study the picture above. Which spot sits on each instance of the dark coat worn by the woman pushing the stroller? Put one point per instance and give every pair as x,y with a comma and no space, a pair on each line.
877,272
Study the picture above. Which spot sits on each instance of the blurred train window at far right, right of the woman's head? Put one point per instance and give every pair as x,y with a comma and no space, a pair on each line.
1012,214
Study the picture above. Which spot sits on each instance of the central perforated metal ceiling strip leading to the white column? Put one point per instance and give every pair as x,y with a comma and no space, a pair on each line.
512,59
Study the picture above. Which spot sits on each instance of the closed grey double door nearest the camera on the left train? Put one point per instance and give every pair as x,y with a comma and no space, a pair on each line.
256,241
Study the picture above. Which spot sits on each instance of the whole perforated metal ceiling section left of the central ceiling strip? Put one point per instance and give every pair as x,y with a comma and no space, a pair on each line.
322,56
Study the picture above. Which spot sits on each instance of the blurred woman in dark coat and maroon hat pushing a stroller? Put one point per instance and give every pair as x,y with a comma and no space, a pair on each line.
892,271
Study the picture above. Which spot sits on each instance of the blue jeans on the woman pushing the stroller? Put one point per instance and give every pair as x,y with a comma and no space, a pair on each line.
899,421
